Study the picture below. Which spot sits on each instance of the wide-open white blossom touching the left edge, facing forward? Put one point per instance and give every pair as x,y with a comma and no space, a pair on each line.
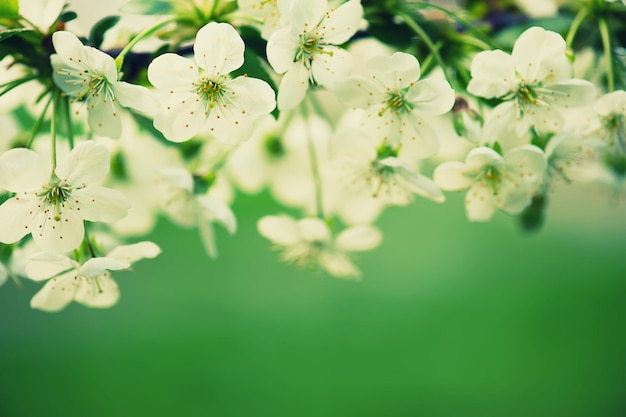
52,207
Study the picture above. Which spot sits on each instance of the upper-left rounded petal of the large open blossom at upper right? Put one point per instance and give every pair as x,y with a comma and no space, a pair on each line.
493,74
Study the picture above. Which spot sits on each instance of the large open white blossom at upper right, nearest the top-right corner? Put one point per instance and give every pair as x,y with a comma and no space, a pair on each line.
535,84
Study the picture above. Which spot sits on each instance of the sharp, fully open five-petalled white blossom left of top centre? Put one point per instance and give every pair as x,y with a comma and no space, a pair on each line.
201,95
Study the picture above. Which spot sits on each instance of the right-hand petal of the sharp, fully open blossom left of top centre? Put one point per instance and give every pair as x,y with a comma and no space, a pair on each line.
251,95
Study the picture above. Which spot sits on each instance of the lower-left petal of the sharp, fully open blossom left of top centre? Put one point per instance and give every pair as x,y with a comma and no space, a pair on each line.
180,118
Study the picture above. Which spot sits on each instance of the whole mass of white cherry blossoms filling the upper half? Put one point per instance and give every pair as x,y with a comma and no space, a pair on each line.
334,114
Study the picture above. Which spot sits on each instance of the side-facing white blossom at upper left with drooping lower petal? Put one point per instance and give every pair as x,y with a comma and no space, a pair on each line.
90,75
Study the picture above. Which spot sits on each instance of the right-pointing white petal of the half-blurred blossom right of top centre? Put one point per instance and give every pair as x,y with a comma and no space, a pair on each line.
431,96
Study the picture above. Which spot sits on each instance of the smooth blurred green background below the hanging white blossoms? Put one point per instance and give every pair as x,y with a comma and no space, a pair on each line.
451,319
